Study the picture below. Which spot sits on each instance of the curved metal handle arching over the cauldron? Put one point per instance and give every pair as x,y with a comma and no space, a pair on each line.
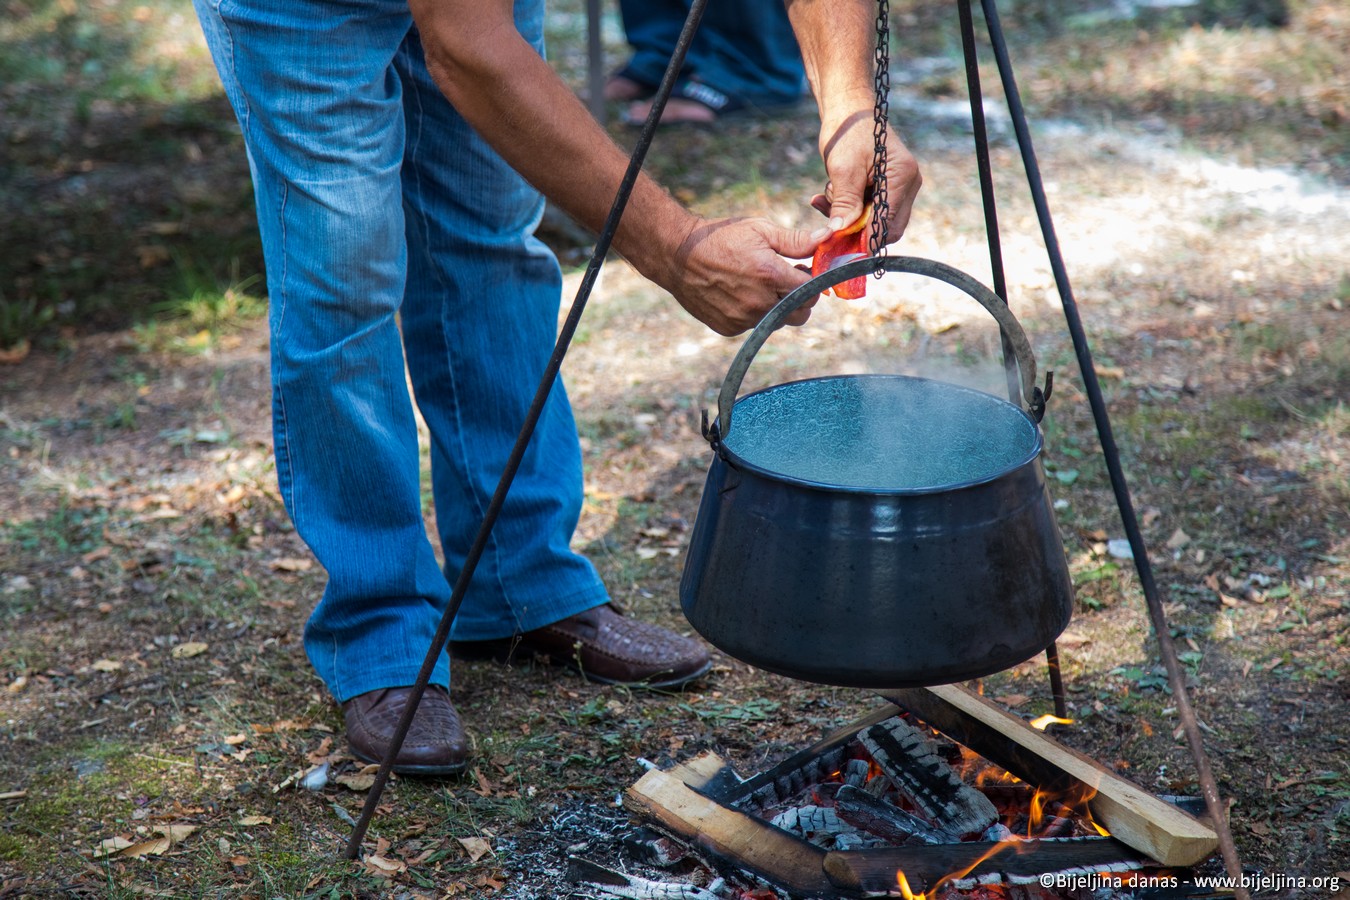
1033,396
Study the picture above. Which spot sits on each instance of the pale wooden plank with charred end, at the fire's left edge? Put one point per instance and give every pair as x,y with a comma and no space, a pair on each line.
732,836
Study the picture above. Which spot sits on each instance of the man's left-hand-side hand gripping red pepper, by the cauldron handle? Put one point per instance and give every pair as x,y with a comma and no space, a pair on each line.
731,272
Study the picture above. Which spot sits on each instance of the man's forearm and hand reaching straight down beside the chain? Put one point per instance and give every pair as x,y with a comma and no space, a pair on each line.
839,45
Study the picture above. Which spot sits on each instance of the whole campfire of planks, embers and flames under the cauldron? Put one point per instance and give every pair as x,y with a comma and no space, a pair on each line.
936,797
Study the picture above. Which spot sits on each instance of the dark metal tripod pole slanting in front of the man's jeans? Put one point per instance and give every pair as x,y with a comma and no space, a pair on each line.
546,385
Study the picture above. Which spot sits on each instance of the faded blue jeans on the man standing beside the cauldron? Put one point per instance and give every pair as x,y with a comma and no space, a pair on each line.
379,206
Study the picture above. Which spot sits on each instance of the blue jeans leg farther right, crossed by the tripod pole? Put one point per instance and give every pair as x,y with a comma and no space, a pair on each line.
480,320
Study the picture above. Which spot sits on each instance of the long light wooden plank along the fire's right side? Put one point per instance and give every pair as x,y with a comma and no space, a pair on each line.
1129,813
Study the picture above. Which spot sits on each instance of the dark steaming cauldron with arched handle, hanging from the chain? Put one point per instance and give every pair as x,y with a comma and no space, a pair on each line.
878,531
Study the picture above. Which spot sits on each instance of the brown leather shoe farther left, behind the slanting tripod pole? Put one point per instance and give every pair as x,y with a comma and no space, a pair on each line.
435,743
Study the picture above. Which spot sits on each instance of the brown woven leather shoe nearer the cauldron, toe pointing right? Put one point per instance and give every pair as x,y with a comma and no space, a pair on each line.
604,647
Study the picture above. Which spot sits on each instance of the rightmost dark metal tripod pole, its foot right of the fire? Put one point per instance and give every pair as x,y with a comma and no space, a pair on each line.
1112,454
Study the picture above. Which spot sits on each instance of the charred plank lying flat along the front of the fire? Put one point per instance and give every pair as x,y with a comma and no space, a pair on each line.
874,870
